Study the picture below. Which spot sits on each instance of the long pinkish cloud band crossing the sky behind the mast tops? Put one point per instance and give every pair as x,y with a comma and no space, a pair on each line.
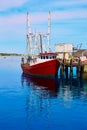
40,18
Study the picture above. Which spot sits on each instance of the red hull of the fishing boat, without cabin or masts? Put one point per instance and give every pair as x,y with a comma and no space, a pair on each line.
48,68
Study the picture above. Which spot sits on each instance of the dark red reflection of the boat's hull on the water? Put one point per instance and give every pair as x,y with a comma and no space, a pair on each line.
46,87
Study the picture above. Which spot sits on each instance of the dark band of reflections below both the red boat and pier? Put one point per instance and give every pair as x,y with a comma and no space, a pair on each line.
49,88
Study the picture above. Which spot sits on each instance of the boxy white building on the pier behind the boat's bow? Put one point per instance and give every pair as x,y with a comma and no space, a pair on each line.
64,50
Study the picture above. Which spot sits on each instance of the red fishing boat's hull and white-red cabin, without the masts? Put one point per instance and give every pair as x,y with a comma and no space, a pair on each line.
45,64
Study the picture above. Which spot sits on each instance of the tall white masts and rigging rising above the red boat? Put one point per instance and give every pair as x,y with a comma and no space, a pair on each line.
32,39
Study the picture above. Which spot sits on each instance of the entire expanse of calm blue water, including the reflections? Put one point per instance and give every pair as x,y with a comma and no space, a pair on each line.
37,103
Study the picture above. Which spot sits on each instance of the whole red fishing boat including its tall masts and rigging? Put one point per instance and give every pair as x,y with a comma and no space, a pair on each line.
45,62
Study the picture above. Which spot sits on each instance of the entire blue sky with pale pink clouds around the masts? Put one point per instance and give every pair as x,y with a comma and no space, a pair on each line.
68,22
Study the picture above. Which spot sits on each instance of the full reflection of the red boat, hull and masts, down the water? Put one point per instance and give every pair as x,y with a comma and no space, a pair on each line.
38,103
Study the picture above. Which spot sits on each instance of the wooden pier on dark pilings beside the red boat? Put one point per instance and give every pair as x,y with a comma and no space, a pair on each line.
66,68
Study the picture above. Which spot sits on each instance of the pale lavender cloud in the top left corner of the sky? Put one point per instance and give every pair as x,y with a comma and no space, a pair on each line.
6,4
